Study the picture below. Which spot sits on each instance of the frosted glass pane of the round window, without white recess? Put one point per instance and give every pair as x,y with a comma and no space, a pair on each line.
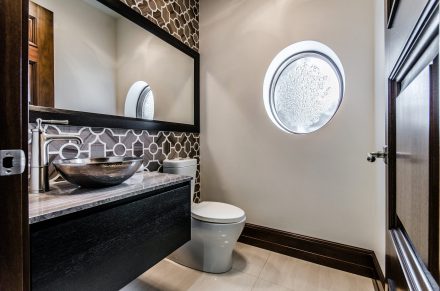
306,94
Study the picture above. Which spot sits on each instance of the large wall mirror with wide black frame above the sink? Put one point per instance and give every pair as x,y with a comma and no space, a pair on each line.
99,63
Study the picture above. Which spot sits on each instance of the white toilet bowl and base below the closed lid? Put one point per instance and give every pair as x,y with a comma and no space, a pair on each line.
211,246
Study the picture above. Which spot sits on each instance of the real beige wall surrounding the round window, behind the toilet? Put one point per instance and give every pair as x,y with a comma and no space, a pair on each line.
317,184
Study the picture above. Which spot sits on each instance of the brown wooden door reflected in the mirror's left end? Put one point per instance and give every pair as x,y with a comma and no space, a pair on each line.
41,56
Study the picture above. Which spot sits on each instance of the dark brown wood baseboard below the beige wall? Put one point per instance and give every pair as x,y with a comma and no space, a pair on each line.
335,255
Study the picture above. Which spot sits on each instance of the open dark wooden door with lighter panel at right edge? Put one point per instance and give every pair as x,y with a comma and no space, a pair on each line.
412,42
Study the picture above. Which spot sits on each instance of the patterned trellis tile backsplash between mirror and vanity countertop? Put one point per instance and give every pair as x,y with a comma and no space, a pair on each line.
153,147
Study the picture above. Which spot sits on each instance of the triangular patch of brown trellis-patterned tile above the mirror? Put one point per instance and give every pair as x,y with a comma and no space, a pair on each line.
180,18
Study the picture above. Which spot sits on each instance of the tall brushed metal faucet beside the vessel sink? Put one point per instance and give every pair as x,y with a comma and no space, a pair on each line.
39,156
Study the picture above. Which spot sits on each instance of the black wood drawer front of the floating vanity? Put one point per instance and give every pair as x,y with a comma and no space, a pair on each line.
106,249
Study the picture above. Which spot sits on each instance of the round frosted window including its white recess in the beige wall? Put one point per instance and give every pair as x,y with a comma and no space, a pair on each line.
303,87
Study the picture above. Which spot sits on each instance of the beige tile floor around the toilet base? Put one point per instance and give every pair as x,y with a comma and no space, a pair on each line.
253,269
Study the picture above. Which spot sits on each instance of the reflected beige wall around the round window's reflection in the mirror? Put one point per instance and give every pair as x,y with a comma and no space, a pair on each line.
142,56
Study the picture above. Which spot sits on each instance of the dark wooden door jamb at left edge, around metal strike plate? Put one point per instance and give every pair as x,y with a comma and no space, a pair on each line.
14,247
